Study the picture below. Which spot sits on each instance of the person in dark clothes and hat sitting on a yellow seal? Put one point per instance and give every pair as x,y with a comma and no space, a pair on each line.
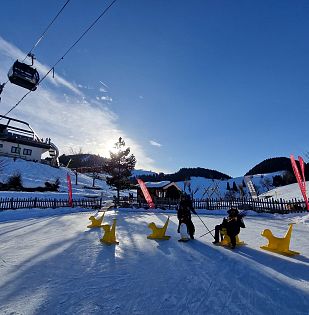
232,224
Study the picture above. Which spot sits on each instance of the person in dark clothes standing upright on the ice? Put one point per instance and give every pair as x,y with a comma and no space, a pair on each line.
184,214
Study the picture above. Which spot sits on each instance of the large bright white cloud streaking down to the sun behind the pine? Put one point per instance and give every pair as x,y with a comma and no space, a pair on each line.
71,120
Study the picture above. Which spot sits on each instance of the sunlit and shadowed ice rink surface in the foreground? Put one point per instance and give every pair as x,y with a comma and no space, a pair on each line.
55,265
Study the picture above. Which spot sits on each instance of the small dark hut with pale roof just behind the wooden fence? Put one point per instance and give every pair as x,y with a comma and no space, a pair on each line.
160,190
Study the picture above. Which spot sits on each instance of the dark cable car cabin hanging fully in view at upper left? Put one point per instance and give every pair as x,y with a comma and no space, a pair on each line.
24,75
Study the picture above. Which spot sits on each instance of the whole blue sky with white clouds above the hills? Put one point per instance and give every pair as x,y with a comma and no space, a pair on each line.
215,84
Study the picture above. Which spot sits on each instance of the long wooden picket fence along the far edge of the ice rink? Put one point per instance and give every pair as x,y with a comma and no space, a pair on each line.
258,205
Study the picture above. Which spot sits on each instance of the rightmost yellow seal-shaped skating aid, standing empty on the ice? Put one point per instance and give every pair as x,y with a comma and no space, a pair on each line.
279,245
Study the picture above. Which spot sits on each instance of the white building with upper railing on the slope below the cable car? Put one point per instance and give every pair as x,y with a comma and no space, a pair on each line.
18,140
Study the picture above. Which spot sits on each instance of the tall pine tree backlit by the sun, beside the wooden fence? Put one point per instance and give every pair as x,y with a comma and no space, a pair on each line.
119,167
